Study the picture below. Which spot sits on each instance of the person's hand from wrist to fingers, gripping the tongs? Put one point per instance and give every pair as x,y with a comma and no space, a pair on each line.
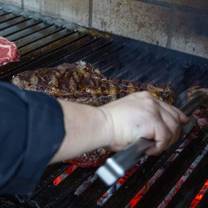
141,115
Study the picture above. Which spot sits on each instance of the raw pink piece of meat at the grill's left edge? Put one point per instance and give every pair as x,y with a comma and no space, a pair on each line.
8,51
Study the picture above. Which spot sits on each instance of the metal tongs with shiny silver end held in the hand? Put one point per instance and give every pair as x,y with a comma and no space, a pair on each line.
117,165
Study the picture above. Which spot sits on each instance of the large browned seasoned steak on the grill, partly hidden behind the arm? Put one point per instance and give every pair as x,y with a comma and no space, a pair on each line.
83,84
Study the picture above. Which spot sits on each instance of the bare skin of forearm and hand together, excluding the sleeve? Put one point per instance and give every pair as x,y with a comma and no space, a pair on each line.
118,124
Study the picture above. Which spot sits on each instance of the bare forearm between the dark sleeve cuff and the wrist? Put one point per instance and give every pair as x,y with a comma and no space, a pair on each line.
86,129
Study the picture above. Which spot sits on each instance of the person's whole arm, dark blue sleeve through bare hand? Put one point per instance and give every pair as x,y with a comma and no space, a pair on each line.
32,131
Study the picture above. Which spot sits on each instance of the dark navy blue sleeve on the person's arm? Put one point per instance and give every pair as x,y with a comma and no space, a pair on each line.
31,131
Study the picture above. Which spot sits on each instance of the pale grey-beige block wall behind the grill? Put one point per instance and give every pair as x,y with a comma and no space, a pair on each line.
176,24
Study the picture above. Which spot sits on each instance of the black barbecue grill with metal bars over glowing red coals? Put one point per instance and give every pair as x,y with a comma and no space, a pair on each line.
178,178
